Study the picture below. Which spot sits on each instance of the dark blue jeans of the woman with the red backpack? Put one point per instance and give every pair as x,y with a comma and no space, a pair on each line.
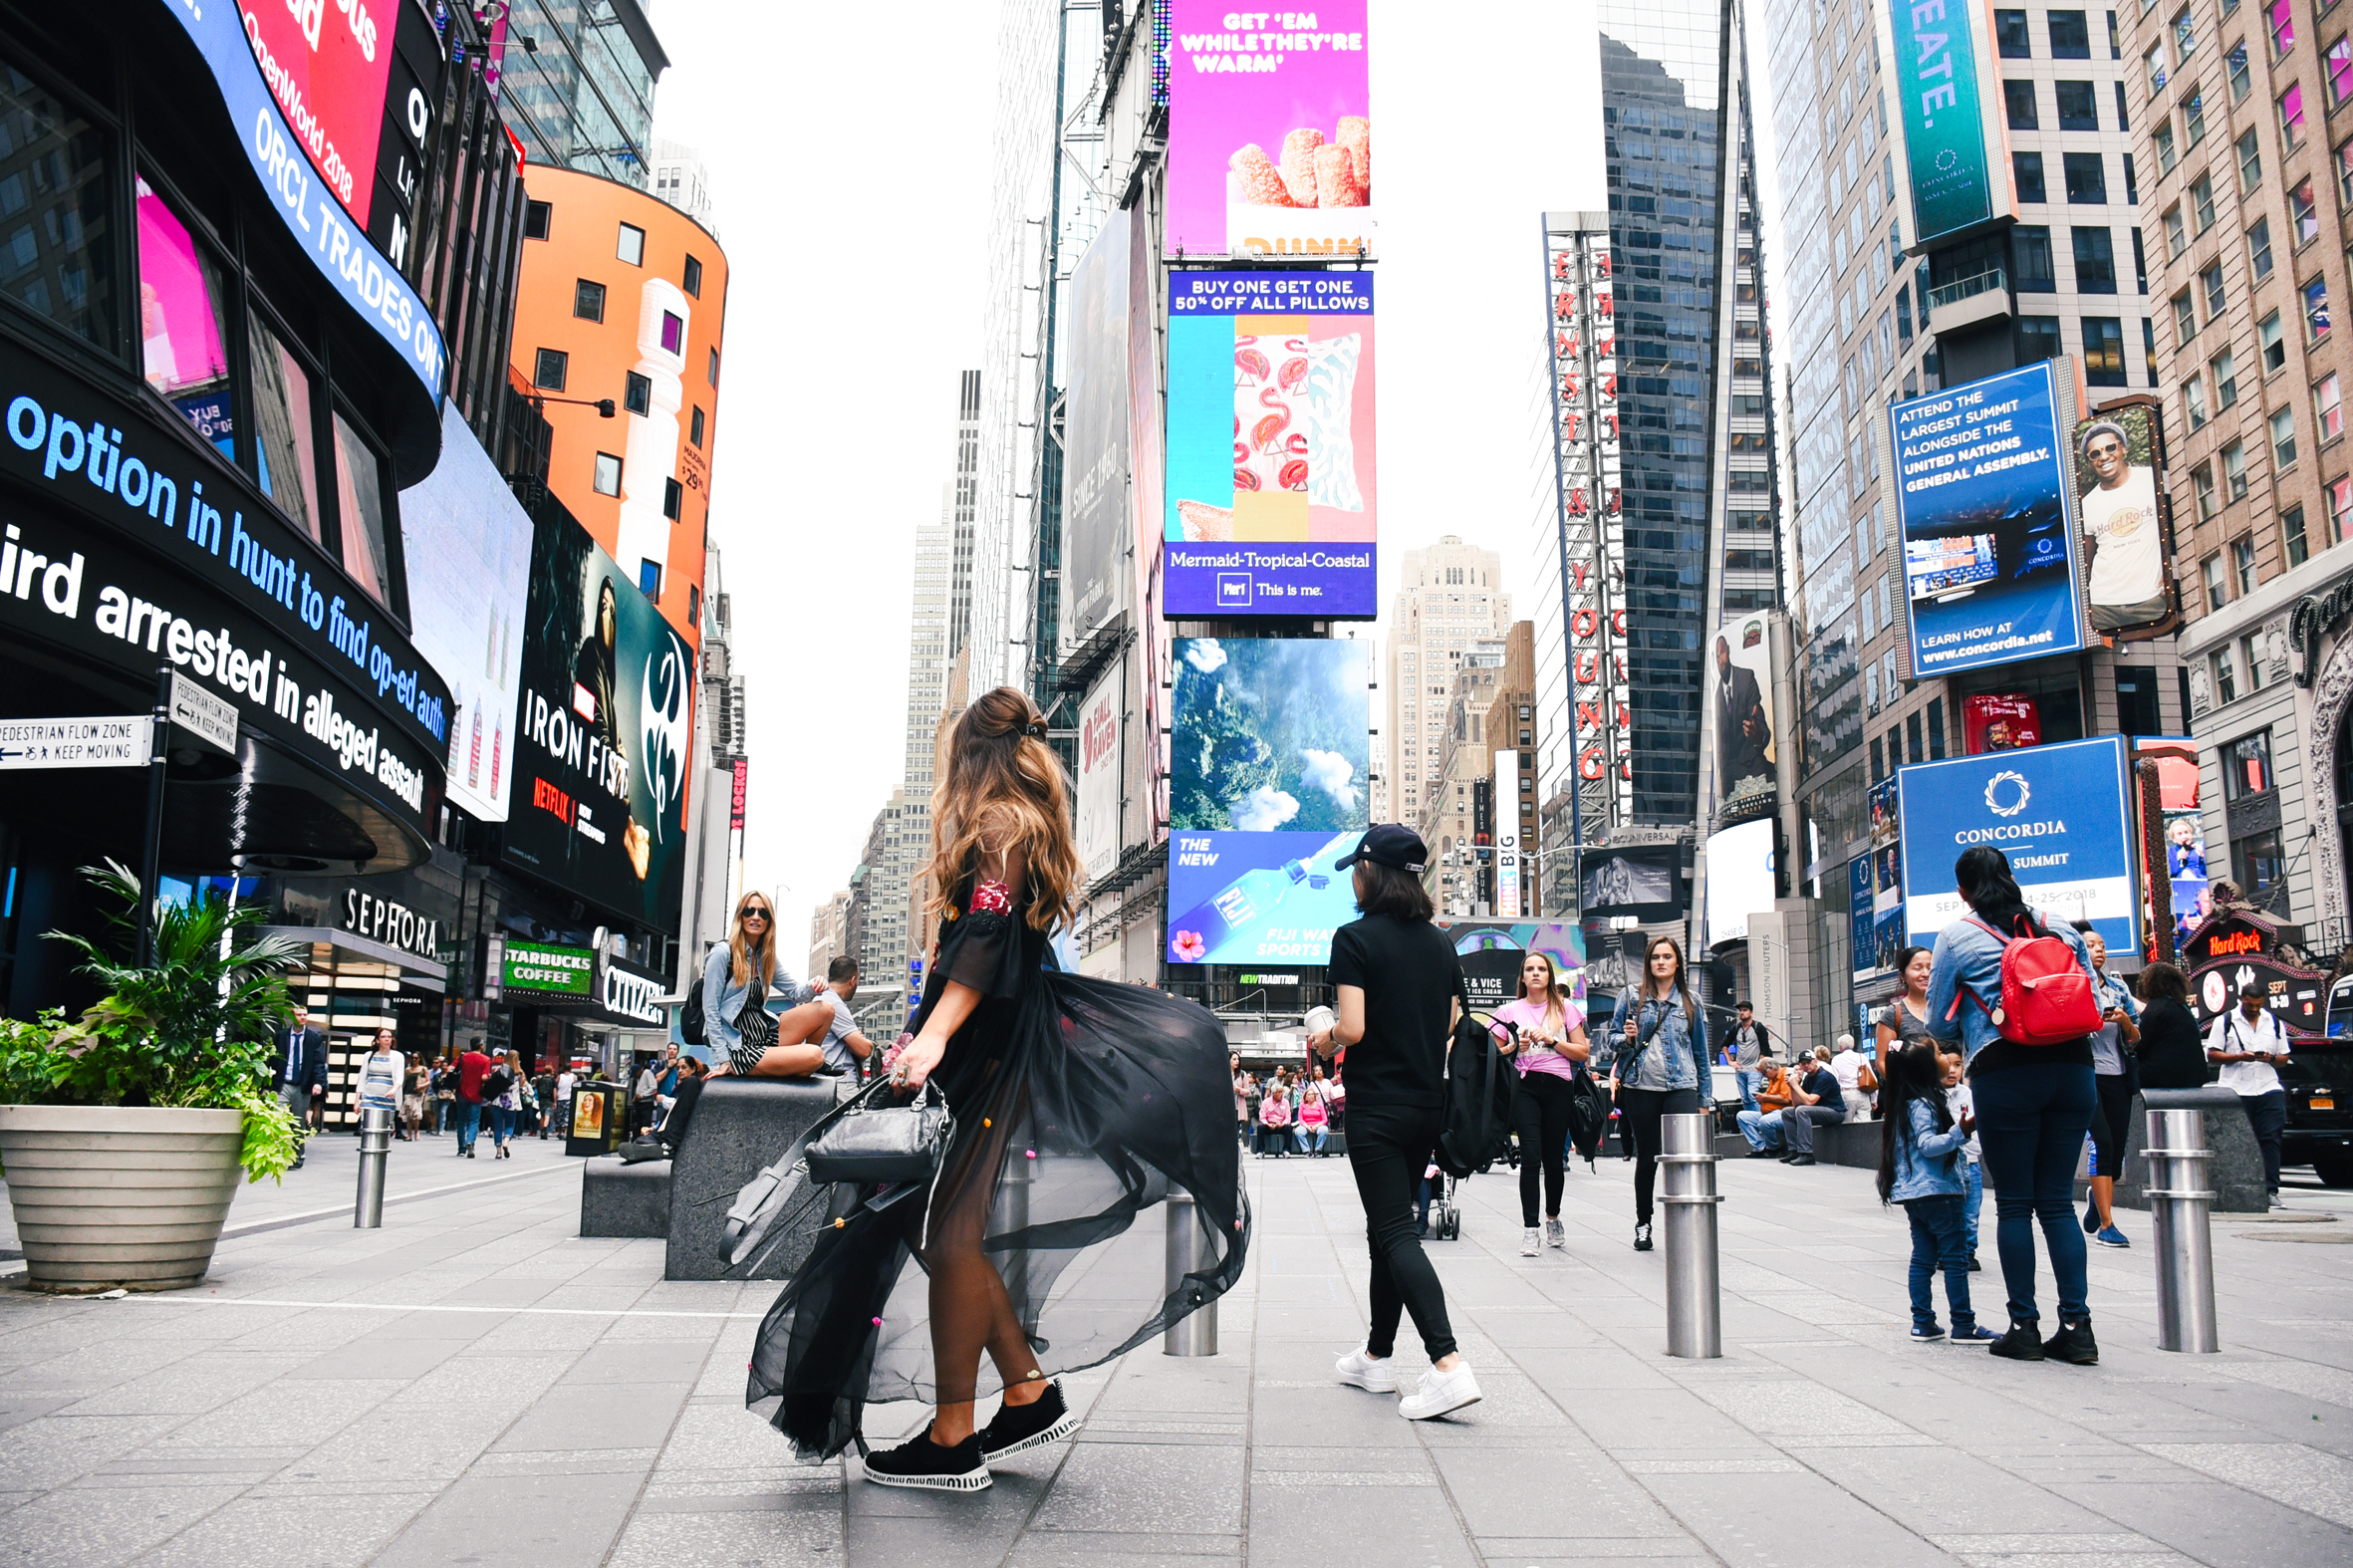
2032,1122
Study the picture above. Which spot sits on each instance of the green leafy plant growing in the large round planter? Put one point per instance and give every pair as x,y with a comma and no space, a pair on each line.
187,1030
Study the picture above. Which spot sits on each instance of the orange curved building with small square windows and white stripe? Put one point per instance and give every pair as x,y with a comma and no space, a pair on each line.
627,298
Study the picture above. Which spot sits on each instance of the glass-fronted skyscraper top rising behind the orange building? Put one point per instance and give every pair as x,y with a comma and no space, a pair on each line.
578,86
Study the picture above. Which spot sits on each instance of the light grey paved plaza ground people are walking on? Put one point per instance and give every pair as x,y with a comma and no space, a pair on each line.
476,1383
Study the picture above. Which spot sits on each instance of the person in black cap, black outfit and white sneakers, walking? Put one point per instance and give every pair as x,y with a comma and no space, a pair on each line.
1399,981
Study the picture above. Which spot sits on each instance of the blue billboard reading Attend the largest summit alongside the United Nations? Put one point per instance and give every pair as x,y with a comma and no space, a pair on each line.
1982,505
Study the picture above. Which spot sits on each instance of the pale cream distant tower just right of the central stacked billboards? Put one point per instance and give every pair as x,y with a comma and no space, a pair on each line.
1448,599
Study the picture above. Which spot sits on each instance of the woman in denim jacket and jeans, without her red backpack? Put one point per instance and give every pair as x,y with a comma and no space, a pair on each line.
2034,1108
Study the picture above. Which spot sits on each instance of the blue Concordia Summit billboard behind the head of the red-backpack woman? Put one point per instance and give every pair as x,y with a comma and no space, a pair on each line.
2060,813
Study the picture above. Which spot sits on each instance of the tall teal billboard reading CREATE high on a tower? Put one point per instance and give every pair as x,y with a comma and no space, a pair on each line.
1952,142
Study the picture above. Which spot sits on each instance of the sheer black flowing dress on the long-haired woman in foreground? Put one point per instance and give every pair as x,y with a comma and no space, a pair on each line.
1081,1108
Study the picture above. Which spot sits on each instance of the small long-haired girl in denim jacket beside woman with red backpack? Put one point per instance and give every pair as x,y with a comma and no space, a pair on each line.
1921,1167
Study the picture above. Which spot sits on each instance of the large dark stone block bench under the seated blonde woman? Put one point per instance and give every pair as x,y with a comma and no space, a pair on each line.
740,1127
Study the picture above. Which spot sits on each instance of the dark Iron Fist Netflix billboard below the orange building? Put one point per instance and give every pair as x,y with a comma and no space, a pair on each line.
604,736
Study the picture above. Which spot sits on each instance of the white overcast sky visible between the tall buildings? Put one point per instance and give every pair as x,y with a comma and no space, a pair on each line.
851,178
